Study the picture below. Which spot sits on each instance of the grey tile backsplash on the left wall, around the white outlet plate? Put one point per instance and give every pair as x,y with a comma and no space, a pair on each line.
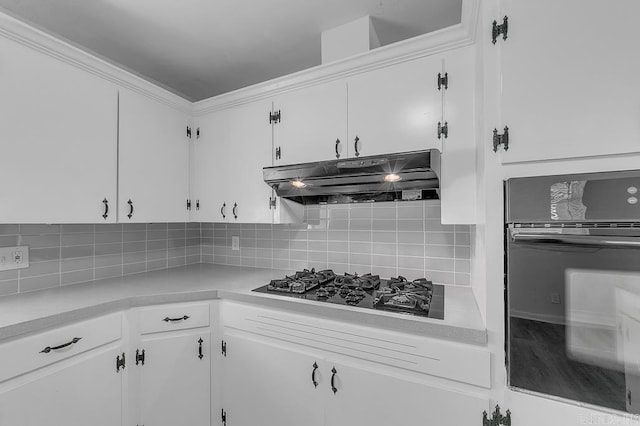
70,254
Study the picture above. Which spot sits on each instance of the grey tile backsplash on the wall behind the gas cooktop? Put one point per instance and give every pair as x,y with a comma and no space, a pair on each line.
386,238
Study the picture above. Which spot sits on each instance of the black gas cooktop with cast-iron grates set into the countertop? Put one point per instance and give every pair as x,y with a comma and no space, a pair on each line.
415,297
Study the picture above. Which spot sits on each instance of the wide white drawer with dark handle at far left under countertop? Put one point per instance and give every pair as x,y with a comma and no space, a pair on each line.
26,354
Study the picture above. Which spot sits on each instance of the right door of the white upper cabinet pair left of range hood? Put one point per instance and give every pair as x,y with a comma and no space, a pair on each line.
249,147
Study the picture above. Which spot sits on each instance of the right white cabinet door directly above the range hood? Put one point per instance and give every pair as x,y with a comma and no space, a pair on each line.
396,108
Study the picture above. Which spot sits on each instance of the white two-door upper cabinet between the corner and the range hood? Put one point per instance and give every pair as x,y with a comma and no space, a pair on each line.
233,147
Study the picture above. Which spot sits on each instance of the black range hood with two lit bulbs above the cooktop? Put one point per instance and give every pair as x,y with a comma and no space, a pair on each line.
390,177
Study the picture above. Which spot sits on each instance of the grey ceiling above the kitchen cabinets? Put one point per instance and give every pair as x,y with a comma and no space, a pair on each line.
201,48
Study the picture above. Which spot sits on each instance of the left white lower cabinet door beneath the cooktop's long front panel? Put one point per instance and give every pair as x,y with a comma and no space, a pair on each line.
269,384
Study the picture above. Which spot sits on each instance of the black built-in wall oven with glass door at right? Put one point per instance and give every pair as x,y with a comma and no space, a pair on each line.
573,287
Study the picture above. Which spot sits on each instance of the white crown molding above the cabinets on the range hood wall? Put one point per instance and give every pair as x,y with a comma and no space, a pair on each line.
443,40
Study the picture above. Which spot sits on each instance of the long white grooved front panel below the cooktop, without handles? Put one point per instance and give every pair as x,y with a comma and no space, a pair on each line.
449,360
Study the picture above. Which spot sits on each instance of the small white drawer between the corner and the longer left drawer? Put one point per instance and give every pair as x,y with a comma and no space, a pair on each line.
172,317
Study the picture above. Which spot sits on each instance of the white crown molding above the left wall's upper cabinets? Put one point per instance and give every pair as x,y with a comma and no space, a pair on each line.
33,38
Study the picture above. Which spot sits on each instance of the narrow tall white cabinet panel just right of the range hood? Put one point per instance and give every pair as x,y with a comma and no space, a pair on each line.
458,159
